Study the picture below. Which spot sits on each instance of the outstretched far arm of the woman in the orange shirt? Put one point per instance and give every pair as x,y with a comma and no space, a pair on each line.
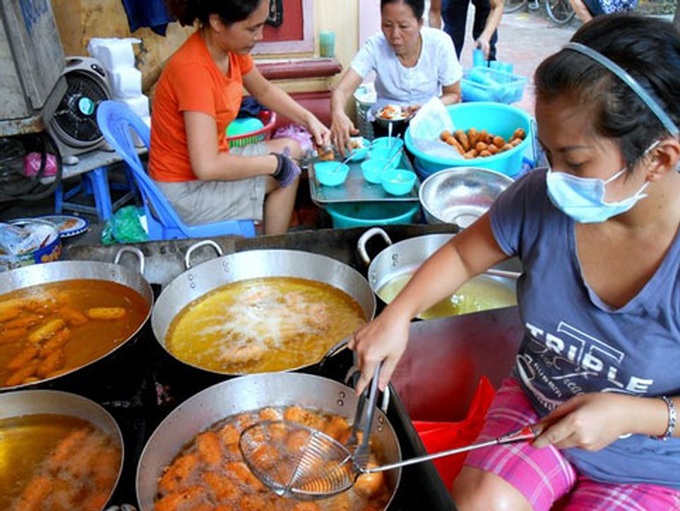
277,99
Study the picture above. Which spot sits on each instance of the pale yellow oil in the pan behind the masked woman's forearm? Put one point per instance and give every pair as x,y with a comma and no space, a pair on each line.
480,293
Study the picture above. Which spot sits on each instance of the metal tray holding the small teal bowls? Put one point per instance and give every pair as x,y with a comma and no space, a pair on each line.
356,188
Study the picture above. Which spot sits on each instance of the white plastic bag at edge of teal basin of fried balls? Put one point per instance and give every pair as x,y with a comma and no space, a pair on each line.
426,127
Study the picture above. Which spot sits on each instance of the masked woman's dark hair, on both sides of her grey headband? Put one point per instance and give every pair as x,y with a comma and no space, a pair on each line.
648,49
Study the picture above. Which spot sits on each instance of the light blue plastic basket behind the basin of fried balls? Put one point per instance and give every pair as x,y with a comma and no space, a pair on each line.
489,84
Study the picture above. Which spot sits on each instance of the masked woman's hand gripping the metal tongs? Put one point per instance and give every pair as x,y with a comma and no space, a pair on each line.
383,339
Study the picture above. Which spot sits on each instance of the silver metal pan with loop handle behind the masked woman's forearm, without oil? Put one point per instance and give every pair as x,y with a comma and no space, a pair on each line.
405,257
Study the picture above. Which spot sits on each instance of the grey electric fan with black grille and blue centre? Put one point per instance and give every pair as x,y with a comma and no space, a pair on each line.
74,123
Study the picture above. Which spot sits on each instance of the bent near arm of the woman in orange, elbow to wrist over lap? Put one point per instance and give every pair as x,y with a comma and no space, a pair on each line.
209,163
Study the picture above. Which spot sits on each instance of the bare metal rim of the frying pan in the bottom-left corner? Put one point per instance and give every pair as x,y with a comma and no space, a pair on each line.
35,402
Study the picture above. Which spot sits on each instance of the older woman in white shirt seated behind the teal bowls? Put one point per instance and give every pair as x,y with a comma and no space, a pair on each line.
412,64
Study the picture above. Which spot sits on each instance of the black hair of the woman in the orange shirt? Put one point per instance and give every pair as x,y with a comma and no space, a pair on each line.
229,11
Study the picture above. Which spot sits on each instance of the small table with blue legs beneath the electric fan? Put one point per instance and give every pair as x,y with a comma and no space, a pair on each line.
93,166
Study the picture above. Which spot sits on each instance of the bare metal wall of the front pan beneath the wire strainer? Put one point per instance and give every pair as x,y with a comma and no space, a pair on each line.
249,393
